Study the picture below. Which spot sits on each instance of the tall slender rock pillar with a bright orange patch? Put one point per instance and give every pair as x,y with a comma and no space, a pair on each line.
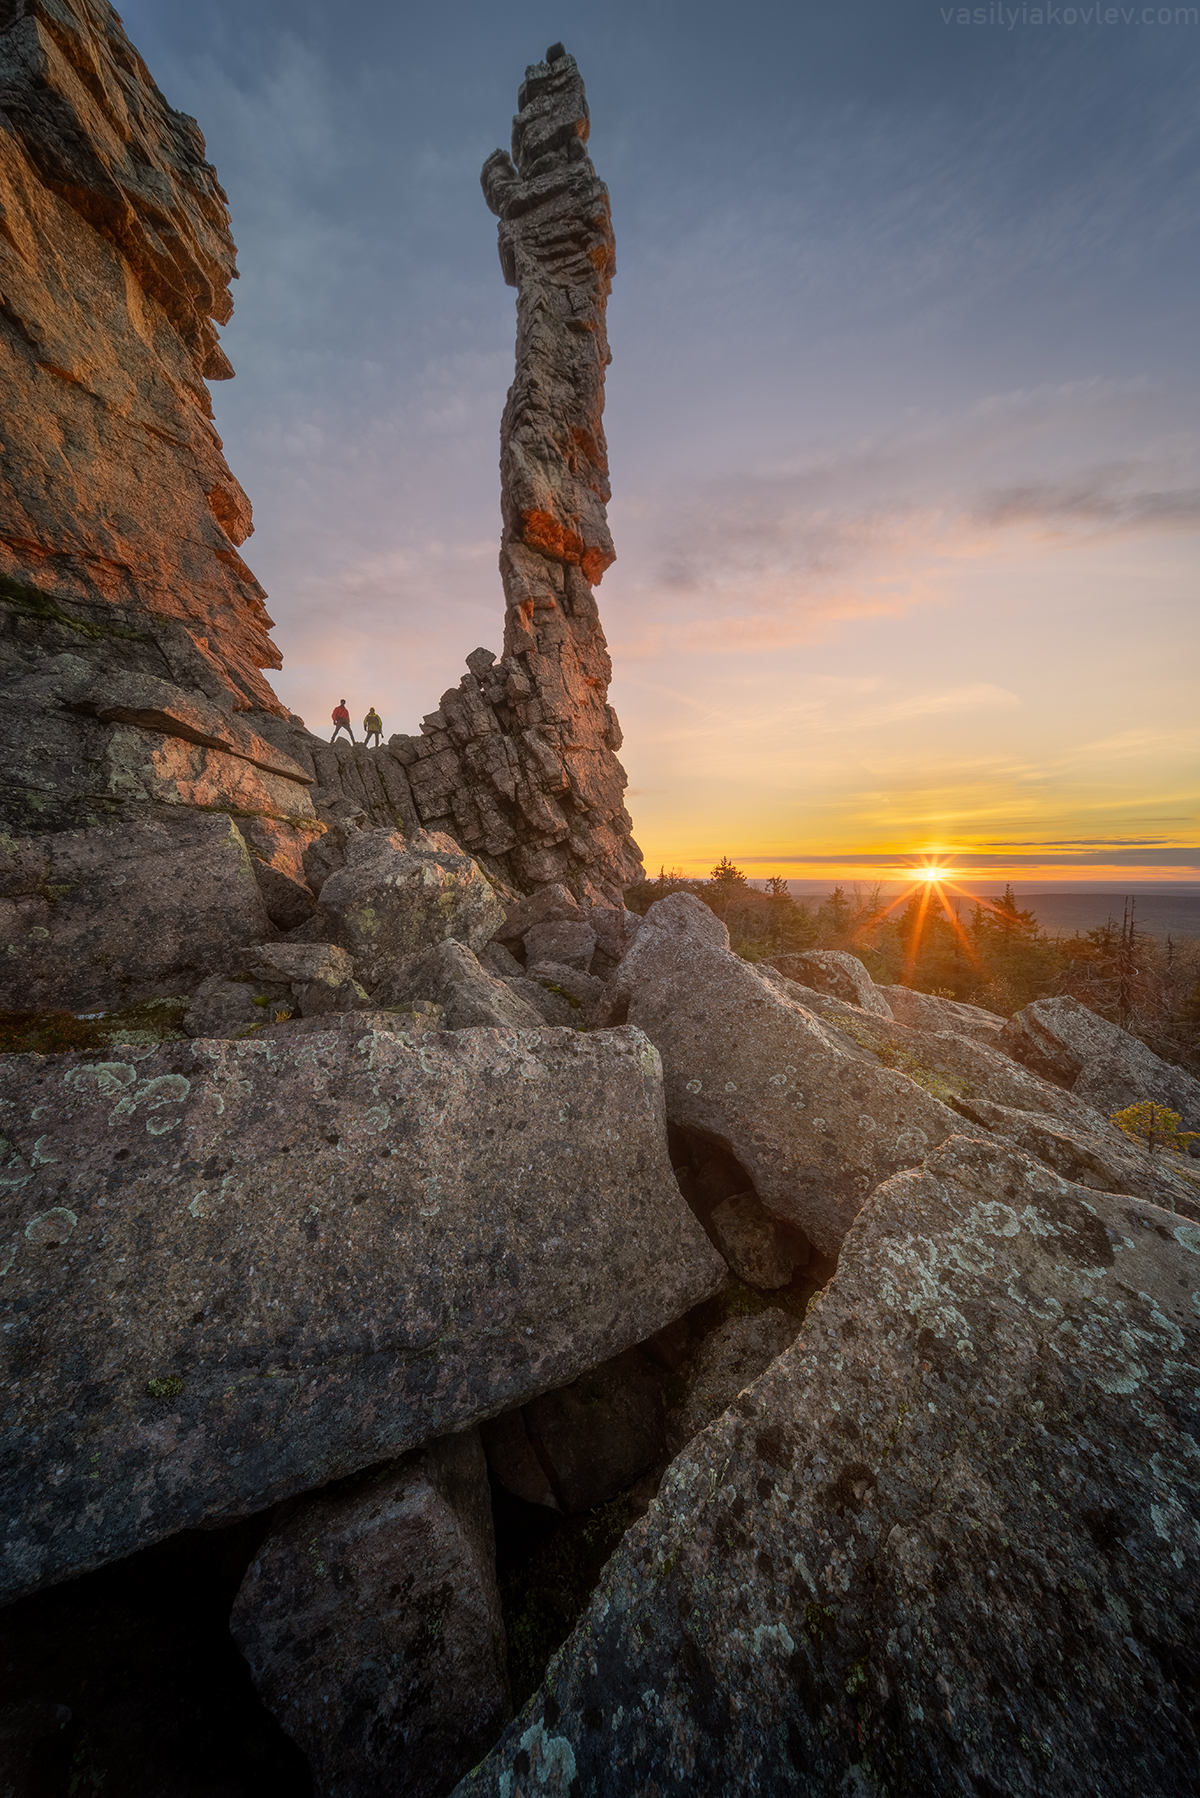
557,249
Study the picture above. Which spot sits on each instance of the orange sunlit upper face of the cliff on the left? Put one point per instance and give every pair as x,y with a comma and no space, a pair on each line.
116,262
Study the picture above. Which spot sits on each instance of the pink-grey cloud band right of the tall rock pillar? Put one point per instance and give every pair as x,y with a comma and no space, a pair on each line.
751,558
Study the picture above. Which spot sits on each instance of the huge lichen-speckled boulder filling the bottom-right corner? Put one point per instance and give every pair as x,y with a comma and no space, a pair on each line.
944,1545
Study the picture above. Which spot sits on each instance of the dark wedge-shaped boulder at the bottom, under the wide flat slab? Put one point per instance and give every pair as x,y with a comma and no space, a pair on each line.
373,1630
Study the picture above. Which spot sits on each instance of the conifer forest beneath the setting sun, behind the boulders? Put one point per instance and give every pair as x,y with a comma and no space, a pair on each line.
985,952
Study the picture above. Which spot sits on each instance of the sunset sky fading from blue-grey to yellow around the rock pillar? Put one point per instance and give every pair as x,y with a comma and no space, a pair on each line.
902,413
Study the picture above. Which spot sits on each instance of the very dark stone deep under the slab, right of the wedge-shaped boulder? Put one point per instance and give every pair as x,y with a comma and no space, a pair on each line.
596,1436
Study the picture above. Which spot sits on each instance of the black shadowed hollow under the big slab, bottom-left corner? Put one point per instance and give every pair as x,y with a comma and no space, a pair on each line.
127,1682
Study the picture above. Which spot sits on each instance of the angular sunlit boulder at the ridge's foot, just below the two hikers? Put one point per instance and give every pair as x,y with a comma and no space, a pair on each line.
400,896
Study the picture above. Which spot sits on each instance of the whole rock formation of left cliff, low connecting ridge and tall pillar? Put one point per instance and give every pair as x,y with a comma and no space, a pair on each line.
134,713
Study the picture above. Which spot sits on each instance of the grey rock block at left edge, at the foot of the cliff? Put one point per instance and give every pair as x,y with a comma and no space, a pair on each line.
134,909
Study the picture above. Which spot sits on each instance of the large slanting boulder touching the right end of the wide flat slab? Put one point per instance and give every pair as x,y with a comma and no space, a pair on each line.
814,1123
